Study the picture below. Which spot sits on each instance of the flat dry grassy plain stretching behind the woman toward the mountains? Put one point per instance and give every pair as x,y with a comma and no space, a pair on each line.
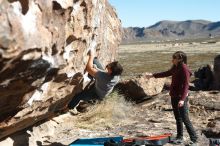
140,58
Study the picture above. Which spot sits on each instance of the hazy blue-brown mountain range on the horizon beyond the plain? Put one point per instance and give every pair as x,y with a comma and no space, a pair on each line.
172,30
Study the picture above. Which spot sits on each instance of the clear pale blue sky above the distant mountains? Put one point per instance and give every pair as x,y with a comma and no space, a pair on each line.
144,13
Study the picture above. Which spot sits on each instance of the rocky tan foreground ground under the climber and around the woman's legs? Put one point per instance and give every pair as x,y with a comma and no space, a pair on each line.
116,117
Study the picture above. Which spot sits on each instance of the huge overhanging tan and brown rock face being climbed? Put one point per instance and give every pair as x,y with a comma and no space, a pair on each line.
43,53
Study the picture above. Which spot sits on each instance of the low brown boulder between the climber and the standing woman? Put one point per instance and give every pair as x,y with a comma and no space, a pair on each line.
139,88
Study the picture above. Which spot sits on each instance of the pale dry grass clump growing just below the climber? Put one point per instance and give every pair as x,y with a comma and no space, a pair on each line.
111,112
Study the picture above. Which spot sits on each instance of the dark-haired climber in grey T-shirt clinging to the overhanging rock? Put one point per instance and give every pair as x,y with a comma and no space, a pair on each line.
105,80
